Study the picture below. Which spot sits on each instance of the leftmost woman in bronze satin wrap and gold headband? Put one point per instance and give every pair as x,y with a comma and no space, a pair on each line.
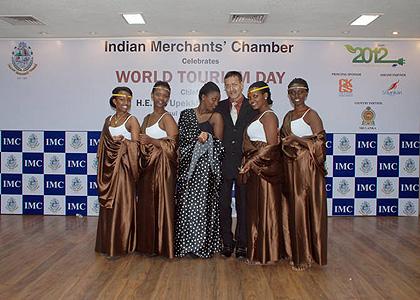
117,177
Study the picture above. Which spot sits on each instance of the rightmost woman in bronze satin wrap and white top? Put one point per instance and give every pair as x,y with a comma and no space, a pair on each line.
303,143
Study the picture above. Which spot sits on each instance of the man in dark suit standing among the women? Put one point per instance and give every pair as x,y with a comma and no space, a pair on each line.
237,114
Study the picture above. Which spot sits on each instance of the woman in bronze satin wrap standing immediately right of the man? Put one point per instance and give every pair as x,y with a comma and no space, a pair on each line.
261,171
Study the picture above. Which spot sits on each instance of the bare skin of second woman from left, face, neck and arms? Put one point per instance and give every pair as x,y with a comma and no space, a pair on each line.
160,97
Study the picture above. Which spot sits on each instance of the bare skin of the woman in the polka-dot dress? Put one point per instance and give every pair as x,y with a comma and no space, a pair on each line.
206,109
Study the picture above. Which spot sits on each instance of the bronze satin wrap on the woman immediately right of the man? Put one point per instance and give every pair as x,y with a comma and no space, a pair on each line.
265,206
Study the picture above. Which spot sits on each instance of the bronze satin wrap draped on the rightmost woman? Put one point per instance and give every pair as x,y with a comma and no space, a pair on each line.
306,194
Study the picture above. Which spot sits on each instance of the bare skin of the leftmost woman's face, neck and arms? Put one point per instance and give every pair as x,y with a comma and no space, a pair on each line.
122,107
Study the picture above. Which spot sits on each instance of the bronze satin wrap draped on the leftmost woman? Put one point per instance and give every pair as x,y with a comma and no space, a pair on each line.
117,176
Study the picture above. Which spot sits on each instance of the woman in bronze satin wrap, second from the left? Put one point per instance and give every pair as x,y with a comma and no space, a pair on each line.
156,189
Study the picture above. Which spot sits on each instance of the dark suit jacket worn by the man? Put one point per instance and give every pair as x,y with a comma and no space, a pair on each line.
233,135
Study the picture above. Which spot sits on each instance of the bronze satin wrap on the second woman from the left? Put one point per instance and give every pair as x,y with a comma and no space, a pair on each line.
155,208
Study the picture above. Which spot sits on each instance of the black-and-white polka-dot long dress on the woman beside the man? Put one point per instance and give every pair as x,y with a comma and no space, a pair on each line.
197,228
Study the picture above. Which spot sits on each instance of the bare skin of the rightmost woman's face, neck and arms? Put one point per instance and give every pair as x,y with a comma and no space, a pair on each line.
297,95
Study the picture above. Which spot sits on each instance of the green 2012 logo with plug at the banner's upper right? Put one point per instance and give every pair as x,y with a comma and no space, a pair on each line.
377,55
